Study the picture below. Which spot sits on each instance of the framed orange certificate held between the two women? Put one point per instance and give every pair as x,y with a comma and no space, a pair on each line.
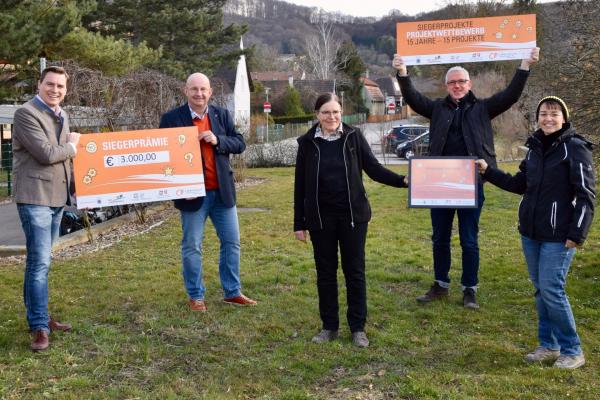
442,182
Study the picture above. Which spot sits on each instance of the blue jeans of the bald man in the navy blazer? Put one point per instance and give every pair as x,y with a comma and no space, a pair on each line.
226,224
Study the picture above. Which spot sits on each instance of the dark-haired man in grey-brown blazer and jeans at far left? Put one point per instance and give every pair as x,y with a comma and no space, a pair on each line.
42,151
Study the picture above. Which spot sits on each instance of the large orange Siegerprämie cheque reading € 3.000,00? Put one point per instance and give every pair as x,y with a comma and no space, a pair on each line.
138,167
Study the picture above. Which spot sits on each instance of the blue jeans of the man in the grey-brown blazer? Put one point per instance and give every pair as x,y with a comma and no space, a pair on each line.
41,225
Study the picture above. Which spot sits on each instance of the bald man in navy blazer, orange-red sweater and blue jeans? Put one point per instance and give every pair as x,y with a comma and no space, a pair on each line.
217,138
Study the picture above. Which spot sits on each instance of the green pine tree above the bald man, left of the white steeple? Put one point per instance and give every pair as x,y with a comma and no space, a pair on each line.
190,33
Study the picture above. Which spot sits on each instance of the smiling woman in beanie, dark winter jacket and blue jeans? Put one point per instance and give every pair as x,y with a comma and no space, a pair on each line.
557,182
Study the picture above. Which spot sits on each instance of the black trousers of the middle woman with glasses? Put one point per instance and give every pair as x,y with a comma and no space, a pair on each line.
351,242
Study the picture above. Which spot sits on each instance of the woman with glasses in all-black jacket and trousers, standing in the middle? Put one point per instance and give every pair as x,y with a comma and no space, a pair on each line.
330,203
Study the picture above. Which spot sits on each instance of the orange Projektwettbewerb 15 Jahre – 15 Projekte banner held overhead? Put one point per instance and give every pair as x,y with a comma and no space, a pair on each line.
466,40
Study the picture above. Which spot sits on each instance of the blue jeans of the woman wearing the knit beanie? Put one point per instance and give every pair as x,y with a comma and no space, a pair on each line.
548,264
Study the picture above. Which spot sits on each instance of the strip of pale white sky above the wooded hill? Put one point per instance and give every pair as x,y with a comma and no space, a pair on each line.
377,8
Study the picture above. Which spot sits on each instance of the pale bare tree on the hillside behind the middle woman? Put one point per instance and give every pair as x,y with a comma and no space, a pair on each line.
322,51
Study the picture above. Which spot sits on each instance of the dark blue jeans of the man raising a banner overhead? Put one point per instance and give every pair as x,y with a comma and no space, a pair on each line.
468,230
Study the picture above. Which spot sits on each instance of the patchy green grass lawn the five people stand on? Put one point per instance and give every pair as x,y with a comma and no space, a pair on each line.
134,338
